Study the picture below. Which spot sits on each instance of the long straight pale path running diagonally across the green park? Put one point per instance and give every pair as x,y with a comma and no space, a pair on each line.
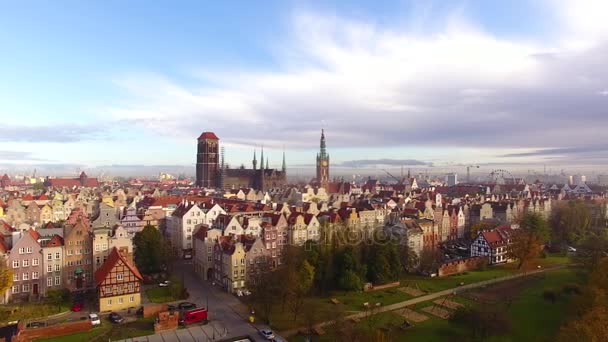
425,298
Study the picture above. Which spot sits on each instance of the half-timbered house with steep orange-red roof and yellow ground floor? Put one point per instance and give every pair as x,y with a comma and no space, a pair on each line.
118,283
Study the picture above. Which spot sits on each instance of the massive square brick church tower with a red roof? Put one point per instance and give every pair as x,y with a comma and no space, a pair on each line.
207,160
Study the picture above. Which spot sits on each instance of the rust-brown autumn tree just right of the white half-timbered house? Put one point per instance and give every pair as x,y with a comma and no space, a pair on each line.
528,241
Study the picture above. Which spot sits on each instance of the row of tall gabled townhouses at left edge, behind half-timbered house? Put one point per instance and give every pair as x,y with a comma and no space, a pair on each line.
59,258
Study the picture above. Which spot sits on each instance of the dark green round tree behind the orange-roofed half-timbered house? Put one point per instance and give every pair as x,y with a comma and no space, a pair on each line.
151,254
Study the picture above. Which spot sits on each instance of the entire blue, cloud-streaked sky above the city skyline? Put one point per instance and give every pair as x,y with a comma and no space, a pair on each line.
415,83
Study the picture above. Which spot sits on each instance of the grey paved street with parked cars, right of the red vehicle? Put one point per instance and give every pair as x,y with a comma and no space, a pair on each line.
227,315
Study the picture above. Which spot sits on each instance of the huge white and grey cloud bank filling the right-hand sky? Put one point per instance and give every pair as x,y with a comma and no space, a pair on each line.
371,86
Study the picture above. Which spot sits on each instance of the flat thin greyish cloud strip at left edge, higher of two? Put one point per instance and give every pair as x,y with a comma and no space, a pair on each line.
59,133
